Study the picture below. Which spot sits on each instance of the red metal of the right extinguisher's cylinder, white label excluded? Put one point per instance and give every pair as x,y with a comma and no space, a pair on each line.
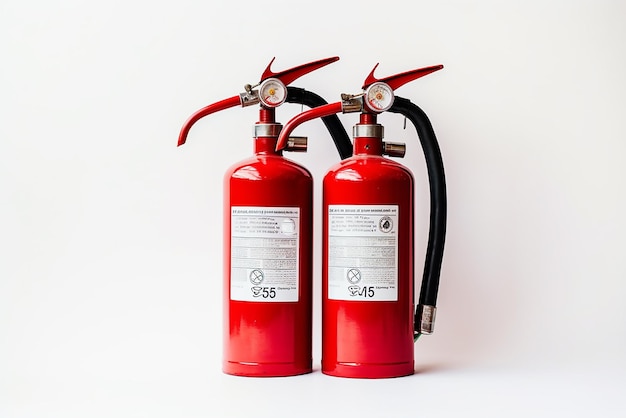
360,338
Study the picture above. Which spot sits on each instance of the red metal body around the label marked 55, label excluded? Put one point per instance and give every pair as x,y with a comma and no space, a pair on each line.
269,338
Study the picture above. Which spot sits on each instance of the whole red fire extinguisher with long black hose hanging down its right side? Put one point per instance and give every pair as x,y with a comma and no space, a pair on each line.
369,318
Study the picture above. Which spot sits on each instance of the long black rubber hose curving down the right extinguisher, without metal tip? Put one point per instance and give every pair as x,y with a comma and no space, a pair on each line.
438,201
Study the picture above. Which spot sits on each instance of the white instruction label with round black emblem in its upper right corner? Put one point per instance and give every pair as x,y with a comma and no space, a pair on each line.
363,252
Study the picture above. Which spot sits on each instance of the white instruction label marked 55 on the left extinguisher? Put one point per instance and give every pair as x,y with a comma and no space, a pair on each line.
265,245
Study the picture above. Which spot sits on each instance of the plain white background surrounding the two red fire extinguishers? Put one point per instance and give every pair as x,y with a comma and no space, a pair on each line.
110,236
